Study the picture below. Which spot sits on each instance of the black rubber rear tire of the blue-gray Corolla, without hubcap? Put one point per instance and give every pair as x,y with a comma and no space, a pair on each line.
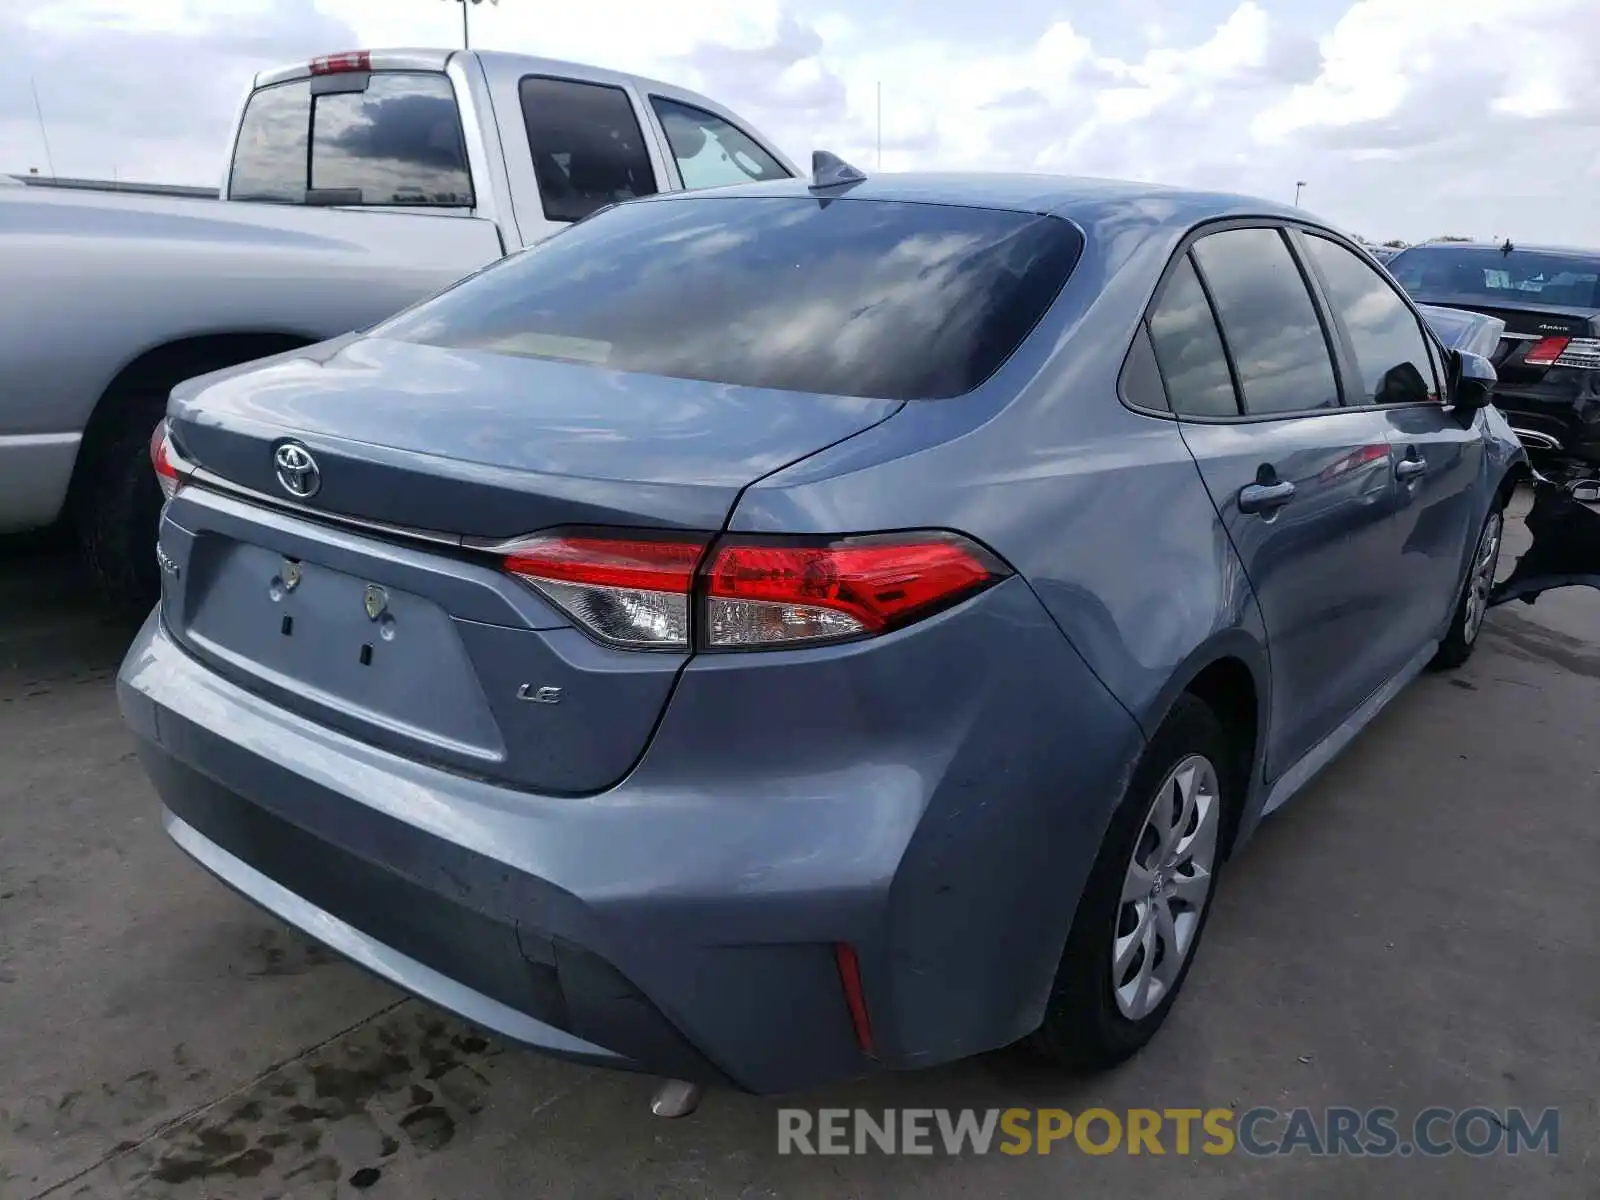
1084,1028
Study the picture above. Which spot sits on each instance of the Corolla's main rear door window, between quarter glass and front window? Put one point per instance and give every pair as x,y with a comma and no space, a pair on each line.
1270,322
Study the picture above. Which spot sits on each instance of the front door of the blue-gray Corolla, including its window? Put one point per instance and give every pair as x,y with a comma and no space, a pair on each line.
1438,454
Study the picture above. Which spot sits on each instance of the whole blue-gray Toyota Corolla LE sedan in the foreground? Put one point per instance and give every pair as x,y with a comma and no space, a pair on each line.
783,633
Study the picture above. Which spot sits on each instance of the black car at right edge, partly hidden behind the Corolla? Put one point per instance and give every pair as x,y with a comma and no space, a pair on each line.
1550,354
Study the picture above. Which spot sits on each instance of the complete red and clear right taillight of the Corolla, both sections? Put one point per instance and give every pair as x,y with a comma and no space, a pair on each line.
754,593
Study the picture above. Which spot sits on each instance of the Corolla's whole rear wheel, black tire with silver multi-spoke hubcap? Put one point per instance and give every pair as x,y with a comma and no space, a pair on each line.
1145,908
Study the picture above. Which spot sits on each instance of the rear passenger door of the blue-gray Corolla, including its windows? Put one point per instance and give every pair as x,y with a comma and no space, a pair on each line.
1303,484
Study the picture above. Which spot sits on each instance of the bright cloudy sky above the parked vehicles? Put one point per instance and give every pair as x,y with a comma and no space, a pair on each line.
1404,118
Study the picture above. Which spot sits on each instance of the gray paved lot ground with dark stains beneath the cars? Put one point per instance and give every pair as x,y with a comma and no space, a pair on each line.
1422,927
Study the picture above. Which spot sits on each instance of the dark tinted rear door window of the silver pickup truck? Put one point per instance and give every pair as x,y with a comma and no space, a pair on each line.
588,148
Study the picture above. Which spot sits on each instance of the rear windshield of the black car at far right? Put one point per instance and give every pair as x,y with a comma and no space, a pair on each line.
1494,278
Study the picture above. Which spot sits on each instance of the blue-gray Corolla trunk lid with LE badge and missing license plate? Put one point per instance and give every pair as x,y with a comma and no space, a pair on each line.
366,604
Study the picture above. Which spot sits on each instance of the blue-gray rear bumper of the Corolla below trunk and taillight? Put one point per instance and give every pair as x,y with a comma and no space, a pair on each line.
684,922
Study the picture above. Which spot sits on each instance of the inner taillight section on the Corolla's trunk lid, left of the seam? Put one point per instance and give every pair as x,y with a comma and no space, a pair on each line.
631,591
